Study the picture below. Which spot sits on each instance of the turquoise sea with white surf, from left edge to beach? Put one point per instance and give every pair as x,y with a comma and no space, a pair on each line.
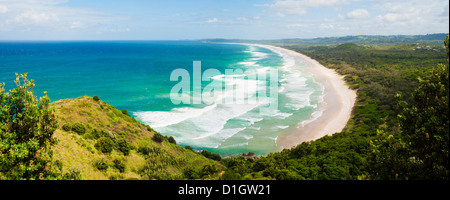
135,75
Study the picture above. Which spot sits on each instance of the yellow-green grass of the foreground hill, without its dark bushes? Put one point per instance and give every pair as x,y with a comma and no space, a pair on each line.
77,151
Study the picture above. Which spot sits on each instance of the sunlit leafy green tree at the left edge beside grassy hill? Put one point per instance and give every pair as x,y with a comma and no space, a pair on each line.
26,129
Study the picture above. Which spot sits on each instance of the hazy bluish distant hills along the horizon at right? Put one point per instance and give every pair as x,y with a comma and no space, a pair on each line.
429,39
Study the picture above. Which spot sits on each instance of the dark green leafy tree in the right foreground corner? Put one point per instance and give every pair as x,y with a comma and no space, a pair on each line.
421,150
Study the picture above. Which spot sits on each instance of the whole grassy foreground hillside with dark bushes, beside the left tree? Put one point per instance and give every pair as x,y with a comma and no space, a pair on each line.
104,143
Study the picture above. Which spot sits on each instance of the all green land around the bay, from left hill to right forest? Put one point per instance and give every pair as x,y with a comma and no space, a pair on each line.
399,129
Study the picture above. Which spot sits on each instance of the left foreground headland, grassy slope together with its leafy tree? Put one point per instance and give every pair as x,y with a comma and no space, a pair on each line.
86,138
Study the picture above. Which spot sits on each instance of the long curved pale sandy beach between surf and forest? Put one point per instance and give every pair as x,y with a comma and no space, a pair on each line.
338,104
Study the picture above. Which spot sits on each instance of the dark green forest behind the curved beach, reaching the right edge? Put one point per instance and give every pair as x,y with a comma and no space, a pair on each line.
399,128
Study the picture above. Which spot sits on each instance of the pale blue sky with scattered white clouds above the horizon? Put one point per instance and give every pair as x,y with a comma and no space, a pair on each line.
231,19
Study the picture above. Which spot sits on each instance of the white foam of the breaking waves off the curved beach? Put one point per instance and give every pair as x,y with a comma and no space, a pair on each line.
211,126
